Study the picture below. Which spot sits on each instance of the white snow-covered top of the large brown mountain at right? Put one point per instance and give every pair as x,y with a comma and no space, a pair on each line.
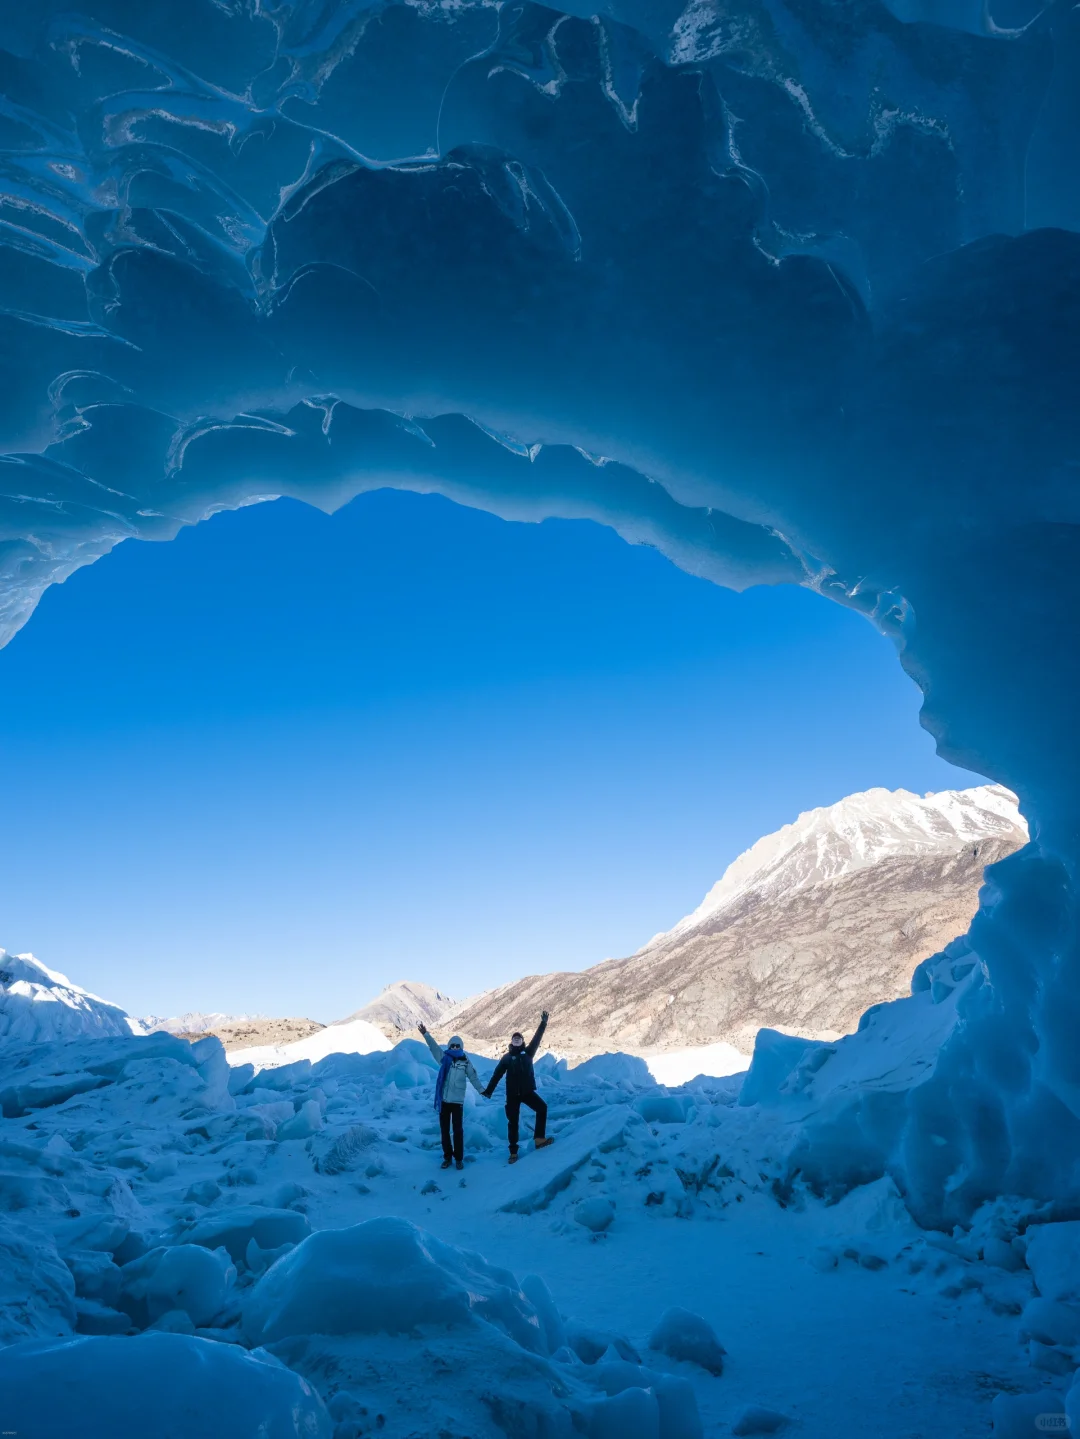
856,832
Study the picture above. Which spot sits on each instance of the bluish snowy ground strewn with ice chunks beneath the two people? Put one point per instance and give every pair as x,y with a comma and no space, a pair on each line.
206,1225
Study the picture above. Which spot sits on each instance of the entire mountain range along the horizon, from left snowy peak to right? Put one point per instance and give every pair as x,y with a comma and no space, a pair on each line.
805,932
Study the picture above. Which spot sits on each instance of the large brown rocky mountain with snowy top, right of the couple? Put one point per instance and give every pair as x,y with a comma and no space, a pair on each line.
805,932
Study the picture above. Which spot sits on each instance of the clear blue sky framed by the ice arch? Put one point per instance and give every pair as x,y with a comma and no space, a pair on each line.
291,758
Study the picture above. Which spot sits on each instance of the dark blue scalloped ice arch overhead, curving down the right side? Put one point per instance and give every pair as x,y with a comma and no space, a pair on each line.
787,289
